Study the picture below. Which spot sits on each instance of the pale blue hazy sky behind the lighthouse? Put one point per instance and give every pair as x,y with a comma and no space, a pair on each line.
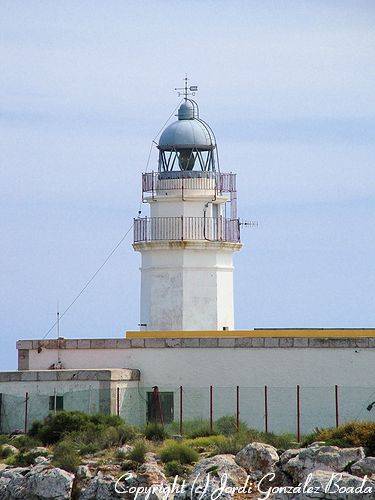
288,88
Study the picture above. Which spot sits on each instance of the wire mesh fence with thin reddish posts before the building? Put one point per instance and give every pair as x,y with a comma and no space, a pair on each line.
298,410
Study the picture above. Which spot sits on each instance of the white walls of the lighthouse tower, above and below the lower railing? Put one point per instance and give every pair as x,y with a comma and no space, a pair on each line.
186,288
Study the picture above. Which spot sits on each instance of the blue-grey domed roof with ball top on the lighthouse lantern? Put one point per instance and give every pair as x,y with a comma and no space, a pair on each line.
187,132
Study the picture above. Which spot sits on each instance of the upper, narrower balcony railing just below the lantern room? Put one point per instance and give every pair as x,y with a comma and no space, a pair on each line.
154,182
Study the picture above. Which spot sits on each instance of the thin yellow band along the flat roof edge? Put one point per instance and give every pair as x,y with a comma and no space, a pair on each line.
267,332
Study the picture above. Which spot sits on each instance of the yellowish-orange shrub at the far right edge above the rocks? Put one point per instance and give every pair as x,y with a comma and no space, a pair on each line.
350,434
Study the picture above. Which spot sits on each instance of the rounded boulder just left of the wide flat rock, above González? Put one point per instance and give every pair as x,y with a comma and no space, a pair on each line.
258,459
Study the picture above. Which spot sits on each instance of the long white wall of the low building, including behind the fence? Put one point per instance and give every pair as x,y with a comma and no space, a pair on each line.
315,370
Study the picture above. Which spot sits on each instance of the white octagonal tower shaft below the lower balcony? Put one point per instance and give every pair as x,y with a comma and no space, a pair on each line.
187,288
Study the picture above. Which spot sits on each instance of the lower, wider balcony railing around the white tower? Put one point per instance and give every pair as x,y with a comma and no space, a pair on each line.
186,228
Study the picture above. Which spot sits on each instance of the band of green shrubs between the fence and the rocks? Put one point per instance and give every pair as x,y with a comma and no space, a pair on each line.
72,435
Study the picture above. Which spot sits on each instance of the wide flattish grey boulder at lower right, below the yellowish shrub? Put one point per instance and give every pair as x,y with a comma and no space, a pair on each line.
328,458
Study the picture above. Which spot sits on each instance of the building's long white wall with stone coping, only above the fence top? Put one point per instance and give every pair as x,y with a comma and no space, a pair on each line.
198,364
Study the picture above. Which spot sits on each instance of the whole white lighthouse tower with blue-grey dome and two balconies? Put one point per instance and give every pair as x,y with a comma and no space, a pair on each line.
187,242
